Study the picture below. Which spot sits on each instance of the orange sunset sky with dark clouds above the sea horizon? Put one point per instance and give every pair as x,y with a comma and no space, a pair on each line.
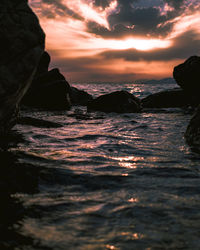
119,40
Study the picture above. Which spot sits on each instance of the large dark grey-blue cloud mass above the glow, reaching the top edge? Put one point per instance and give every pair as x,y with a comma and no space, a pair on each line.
140,18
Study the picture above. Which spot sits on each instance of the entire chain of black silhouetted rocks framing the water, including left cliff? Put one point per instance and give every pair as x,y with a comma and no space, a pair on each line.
27,81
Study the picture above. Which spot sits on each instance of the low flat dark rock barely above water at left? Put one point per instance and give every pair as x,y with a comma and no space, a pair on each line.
38,122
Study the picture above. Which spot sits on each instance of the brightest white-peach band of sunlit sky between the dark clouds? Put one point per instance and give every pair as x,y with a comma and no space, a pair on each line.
87,41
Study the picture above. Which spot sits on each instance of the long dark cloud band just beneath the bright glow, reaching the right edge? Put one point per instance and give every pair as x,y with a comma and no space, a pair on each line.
179,50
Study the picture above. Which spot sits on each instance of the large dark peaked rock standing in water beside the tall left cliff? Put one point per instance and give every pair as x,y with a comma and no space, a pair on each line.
49,91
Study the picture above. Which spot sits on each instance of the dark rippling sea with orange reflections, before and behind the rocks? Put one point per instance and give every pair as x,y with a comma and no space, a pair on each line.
102,180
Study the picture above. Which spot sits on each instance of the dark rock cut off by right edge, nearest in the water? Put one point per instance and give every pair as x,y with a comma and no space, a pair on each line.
192,133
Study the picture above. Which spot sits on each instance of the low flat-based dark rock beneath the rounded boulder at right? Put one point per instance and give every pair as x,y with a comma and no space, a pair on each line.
167,99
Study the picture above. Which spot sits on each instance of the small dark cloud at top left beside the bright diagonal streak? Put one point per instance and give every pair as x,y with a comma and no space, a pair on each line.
58,8
